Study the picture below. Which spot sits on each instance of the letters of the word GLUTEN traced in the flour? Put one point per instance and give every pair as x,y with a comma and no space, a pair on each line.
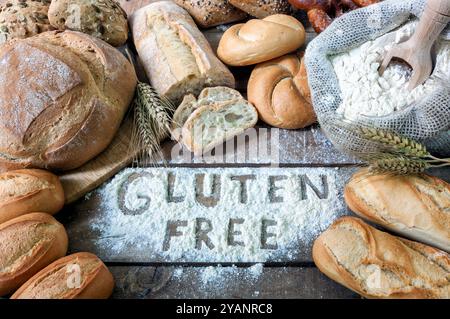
214,195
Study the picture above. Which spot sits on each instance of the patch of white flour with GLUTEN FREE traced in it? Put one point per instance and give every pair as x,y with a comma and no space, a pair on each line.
223,214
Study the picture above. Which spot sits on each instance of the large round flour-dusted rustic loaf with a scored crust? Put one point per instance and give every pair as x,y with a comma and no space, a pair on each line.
62,98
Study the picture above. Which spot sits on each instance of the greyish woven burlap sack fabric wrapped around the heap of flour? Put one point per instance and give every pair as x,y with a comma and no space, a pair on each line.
427,121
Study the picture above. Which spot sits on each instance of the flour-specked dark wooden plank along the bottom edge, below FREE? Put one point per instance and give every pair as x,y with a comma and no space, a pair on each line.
224,282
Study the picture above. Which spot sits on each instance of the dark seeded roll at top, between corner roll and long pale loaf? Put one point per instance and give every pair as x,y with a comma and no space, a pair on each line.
104,19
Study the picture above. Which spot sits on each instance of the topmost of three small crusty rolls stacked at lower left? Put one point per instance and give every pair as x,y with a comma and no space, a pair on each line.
29,190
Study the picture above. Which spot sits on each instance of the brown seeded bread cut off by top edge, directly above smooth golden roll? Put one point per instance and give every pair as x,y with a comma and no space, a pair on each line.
263,8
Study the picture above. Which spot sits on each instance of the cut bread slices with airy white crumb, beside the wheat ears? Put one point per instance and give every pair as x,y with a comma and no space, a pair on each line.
217,115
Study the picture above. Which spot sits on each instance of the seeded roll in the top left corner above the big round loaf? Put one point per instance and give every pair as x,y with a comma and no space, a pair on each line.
21,19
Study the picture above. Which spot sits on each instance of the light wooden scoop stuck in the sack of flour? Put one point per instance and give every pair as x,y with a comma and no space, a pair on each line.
417,50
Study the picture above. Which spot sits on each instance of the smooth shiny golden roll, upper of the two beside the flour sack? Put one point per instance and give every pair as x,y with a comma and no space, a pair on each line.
258,41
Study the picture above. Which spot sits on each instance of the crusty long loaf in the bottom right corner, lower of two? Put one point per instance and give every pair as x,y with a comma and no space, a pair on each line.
378,265
